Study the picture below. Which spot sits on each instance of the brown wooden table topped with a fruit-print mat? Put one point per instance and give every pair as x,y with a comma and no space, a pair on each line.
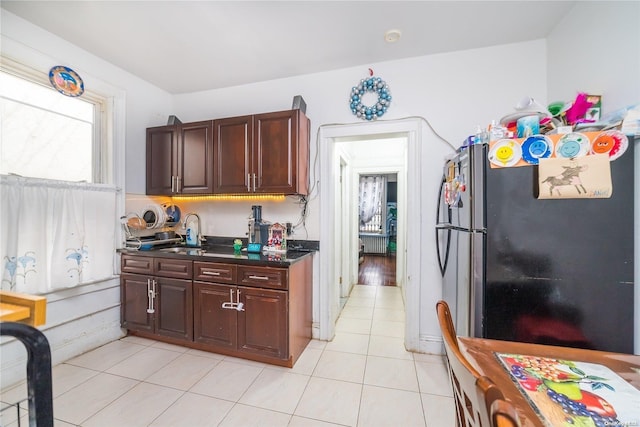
489,358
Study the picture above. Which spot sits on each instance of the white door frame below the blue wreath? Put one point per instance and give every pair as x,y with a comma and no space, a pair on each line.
329,301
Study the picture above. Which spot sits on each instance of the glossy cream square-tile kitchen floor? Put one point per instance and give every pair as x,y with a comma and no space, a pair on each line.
364,377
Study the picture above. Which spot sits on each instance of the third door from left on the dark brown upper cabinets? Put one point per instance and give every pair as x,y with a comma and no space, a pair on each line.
232,155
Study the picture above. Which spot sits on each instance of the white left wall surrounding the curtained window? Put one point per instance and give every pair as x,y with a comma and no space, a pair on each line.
83,318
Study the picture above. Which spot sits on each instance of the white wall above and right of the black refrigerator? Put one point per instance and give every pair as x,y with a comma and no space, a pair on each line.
596,49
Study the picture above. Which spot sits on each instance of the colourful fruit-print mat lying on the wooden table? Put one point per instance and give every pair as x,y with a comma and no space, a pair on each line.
574,394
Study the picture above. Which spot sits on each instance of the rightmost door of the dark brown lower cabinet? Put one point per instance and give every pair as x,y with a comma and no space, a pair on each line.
262,326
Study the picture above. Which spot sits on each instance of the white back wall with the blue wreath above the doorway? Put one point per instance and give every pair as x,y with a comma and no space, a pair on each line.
455,92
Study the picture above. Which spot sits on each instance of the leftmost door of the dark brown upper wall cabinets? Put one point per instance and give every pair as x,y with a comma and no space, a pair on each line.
162,161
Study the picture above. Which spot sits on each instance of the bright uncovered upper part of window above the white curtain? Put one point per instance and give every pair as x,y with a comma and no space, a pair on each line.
46,134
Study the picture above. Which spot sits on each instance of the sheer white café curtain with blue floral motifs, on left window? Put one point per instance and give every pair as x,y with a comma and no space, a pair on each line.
55,234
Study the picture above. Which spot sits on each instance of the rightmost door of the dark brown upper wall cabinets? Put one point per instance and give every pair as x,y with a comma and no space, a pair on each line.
277,160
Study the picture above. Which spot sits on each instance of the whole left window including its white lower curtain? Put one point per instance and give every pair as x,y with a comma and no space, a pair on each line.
58,204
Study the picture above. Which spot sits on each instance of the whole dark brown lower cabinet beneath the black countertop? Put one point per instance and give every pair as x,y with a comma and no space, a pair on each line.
255,312
